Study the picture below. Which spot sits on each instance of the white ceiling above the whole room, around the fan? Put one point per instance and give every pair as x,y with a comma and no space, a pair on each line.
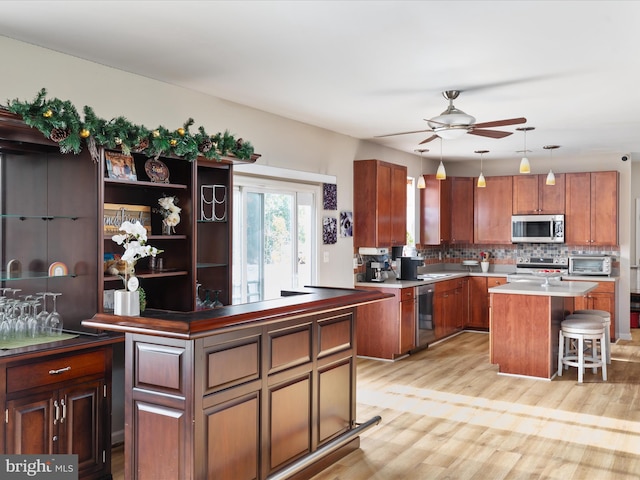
368,68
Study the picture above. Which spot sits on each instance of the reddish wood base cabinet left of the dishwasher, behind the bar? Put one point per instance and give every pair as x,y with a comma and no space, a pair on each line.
387,329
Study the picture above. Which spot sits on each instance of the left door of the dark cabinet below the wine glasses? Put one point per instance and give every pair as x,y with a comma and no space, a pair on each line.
30,428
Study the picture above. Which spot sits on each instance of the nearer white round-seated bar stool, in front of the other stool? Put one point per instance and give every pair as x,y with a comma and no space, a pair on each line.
582,327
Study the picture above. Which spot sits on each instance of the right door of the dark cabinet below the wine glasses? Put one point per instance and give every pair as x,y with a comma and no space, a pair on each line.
81,426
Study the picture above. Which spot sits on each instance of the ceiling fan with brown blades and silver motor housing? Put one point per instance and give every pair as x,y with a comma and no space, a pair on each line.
453,123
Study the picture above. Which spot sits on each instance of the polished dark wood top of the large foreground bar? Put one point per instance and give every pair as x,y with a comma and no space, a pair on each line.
185,325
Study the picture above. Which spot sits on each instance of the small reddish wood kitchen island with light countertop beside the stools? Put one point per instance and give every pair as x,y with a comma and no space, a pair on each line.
525,322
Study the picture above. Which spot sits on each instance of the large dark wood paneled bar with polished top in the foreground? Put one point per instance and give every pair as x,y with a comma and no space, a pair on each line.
243,391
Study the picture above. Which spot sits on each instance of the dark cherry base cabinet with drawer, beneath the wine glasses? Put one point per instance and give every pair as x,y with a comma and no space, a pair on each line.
60,404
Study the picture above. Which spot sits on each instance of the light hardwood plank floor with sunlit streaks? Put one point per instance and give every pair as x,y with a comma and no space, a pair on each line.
447,414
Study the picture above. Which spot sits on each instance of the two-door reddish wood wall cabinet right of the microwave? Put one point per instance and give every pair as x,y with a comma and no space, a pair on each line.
591,215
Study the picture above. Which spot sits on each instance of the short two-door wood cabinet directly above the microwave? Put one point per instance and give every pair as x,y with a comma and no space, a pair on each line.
531,195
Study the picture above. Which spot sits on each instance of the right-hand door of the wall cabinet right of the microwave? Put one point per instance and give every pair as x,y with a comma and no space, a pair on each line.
604,208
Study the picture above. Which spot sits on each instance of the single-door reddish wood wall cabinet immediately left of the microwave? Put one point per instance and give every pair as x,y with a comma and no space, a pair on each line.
492,210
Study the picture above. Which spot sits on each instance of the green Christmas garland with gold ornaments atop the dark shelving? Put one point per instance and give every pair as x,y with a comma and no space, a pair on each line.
59,120
